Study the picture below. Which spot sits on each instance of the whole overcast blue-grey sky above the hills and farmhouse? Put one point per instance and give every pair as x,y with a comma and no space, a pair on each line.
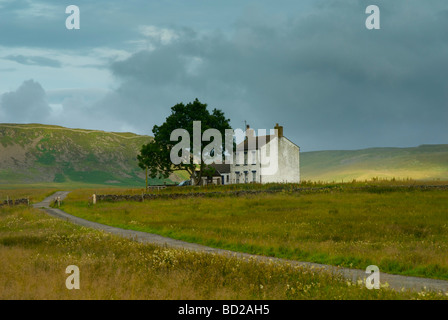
312,66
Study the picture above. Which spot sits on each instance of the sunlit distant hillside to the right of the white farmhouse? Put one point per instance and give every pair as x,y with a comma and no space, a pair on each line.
426,162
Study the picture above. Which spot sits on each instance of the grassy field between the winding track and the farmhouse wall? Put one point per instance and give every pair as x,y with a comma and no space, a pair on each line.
402,231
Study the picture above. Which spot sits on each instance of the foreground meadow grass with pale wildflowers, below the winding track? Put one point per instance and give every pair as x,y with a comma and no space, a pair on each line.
35,250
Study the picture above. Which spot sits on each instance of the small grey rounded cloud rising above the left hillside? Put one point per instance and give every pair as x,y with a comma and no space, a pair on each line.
27,104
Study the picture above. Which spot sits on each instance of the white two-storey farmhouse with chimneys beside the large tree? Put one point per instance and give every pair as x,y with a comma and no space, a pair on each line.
265,159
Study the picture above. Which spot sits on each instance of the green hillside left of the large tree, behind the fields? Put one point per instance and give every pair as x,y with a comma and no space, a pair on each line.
35,153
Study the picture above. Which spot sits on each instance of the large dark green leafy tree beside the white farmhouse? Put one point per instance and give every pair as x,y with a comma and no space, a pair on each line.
155,156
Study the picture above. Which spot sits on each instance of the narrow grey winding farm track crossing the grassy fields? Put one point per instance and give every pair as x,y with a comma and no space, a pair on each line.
396,282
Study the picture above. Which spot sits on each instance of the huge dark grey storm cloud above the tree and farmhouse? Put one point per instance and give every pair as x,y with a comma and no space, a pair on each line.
331,82
